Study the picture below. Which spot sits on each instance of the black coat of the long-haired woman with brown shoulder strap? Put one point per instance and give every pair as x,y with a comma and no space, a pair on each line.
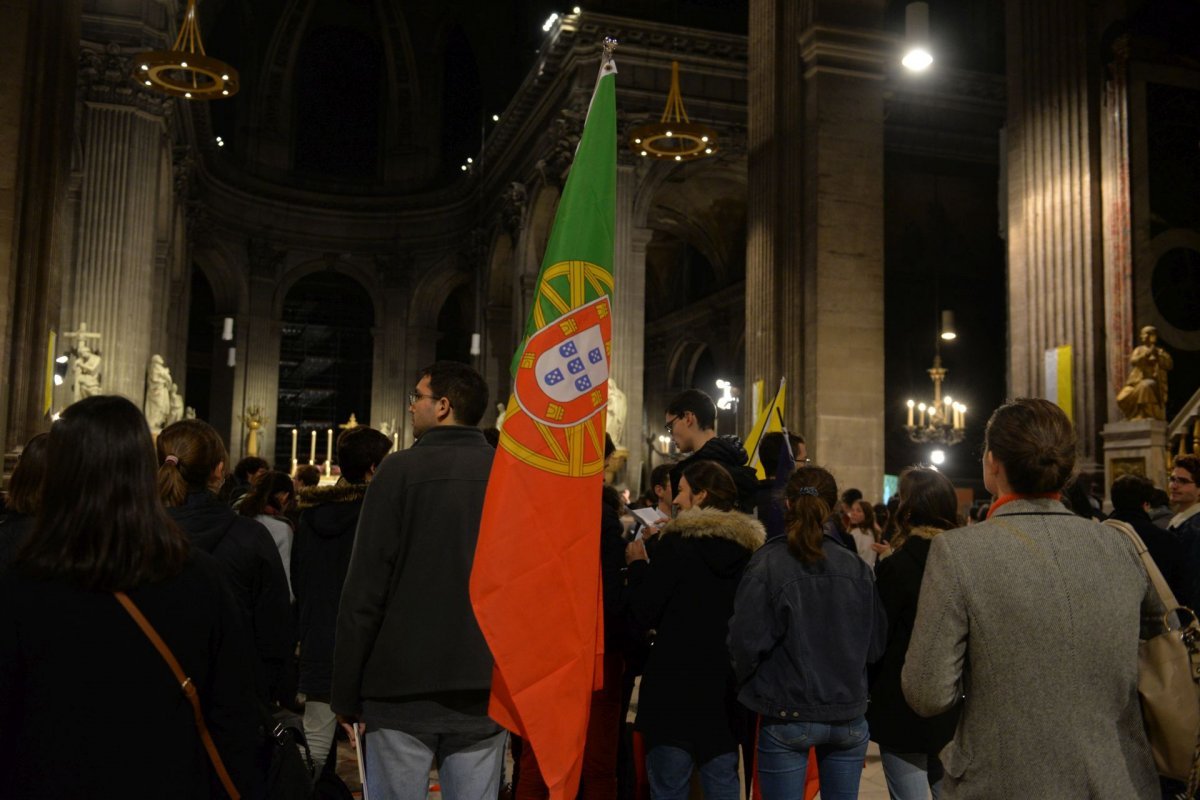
88,707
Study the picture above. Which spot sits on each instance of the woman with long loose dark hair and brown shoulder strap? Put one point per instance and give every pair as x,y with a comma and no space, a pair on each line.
88,707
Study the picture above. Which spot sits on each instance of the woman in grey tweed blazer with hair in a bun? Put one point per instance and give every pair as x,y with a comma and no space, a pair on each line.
1031,619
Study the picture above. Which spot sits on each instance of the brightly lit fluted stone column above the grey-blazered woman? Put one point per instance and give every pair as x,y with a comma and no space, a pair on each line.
1054,221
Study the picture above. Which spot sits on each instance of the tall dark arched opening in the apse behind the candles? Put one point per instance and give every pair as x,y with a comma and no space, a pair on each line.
326,362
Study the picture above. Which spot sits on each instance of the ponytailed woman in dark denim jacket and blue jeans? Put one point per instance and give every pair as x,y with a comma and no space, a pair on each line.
807,622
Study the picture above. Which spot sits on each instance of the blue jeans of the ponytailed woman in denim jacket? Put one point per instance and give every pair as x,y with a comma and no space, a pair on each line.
784,759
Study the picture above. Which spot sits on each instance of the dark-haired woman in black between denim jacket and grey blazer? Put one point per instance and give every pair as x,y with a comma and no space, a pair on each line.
909,744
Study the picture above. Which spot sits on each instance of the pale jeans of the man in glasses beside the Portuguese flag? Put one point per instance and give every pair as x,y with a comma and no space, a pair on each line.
399,765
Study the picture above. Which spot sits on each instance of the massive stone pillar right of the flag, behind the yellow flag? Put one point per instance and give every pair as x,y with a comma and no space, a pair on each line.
815,225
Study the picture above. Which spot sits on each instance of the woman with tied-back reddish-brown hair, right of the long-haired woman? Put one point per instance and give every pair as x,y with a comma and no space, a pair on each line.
191,470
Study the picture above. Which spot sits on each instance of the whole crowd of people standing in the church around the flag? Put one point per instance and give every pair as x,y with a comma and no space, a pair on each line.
770,623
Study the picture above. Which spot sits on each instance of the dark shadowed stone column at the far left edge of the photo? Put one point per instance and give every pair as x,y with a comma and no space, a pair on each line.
41,44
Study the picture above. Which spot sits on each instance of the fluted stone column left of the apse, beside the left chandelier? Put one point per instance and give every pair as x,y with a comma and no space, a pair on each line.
123,143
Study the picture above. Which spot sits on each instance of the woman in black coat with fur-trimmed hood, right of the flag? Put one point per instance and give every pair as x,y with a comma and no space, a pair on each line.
686,594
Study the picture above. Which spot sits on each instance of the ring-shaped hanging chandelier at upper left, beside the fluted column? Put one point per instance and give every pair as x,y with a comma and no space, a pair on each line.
185,70
